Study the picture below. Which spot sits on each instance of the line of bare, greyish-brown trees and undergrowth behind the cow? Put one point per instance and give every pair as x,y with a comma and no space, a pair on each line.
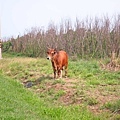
88,38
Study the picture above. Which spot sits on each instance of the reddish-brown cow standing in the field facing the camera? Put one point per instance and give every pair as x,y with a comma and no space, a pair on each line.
59,61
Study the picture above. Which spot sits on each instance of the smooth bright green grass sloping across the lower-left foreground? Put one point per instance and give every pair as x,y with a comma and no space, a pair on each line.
17,103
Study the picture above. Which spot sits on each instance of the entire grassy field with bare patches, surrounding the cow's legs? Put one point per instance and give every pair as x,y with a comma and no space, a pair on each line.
29,92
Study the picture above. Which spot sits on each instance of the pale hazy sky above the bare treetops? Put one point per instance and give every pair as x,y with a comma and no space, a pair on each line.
17,16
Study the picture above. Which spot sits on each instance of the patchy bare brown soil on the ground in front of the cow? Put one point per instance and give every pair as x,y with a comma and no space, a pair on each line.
72,87
